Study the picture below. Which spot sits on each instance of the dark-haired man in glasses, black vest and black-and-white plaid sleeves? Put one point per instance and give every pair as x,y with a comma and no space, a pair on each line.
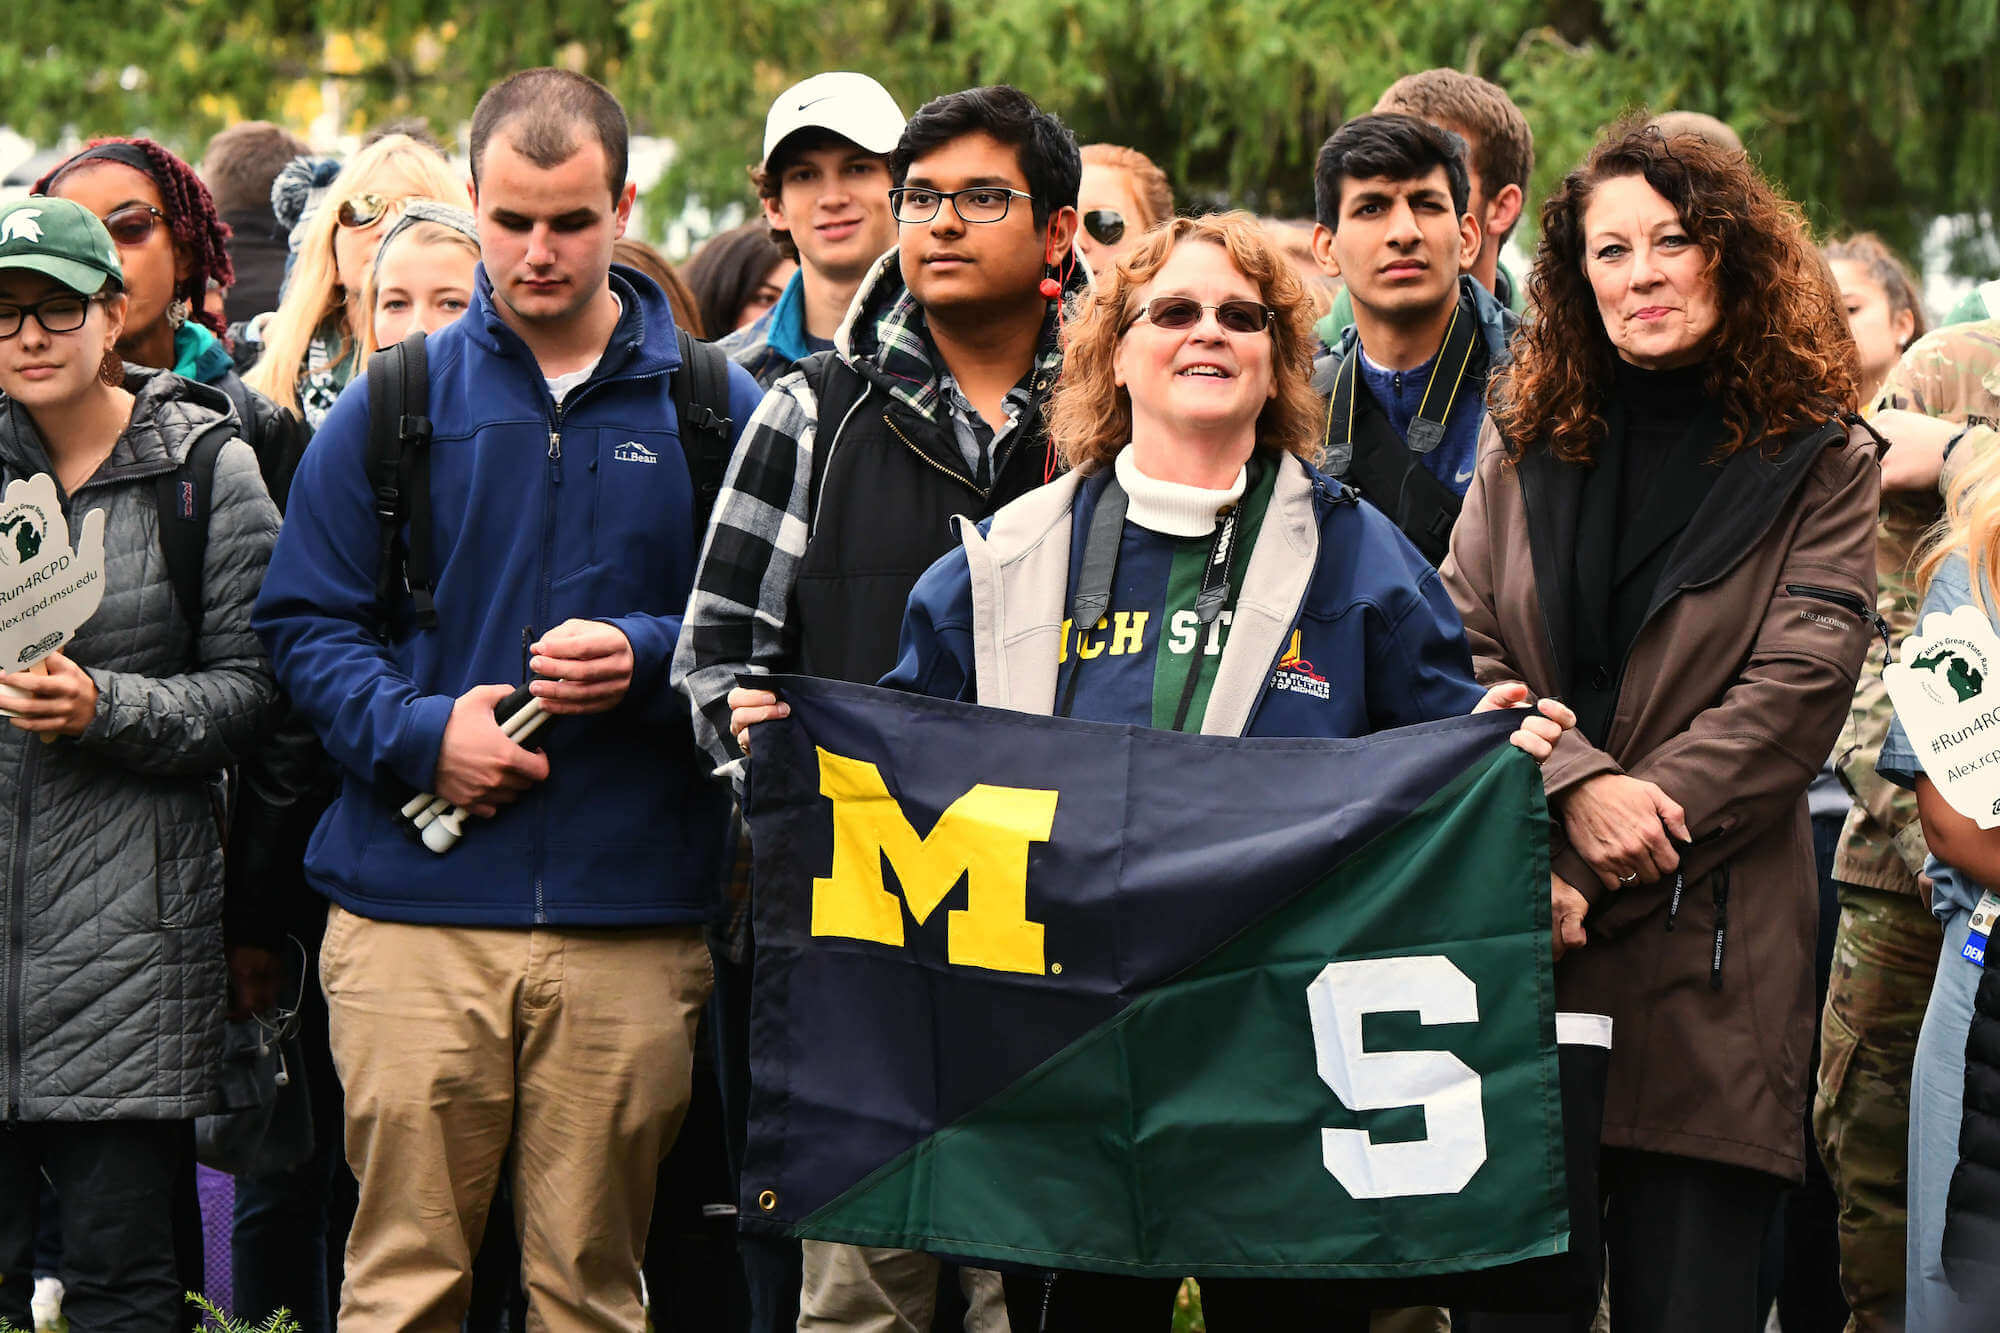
847,485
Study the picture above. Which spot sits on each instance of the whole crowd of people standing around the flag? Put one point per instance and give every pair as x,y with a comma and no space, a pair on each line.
977,413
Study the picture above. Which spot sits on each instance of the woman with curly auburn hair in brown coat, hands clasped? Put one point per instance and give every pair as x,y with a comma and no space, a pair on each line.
1673,529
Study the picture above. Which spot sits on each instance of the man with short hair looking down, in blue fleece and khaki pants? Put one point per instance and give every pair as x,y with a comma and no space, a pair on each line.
527,1002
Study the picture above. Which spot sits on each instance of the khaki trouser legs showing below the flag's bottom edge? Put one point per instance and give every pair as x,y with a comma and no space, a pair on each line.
865,1290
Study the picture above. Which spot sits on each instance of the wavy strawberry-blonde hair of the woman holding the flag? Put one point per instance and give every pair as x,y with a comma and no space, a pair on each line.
1091,415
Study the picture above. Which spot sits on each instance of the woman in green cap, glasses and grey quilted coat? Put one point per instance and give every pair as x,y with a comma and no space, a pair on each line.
111,886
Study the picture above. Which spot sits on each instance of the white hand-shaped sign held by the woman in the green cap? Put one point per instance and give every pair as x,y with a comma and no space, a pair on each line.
47,589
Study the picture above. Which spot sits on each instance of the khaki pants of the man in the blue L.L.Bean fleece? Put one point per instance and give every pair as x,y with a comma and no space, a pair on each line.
561,1054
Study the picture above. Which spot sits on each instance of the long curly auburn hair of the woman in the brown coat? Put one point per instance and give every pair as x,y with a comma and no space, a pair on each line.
1781,359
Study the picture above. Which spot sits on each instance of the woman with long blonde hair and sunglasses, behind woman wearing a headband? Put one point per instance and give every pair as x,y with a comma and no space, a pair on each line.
313,341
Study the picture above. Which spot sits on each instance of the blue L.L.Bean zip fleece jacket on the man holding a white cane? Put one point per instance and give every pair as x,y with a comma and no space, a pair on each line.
539,515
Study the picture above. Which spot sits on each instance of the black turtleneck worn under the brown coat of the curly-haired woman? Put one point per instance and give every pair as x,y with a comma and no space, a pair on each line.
1647,481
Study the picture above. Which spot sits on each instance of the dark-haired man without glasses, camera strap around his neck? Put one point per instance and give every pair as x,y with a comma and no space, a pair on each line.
1407,387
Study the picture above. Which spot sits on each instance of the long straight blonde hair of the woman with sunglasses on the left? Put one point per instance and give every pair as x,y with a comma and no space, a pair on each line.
397,167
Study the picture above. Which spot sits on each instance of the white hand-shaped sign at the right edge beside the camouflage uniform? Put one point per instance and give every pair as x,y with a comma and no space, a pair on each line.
1947,694
